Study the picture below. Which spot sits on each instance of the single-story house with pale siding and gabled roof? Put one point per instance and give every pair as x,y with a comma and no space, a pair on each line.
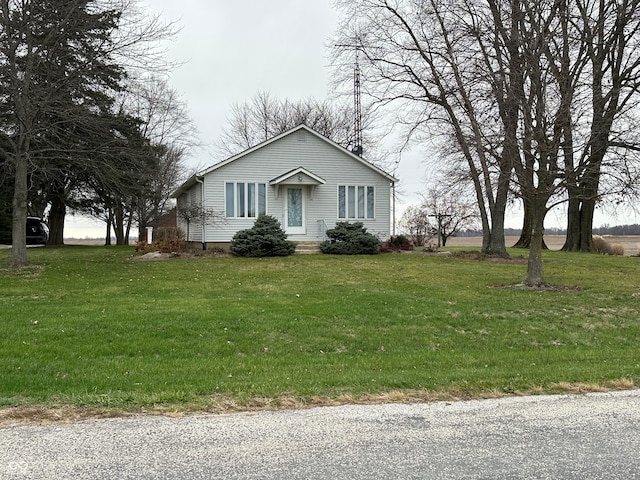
302,178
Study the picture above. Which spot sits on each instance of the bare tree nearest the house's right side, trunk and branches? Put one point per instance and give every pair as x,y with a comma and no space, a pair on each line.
420,58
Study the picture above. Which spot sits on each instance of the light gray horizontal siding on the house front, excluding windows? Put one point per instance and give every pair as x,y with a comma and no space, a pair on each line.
298,149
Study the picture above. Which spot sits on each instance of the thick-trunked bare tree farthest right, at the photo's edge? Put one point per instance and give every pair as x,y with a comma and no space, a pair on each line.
604,142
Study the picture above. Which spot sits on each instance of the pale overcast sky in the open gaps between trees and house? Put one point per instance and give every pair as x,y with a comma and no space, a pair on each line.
230,50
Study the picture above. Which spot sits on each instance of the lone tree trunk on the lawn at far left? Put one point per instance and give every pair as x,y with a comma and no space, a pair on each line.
18,257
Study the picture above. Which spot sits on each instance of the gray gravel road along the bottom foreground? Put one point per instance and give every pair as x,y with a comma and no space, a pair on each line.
593,436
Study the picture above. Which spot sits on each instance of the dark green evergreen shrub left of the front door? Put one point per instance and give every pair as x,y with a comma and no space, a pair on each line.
265,239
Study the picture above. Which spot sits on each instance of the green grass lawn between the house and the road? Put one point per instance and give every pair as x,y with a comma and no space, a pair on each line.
87,326
